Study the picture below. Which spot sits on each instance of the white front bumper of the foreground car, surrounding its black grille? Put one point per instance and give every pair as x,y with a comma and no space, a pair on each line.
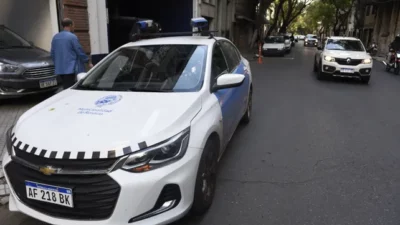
138,194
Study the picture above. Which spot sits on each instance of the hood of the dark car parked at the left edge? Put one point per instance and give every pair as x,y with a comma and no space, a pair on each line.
28,57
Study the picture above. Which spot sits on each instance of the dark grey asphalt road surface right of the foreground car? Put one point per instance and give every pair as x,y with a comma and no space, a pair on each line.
315,153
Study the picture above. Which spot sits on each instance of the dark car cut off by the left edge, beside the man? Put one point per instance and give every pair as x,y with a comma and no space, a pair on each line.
24,68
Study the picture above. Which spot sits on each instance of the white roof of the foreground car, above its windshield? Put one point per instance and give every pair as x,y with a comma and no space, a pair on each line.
190,40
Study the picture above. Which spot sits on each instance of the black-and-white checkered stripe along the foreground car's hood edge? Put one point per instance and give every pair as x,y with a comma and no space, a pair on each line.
45,153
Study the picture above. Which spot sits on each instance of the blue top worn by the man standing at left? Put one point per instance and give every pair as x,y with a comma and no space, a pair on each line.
67,54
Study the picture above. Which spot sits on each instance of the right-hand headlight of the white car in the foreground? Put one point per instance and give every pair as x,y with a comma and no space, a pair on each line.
159,155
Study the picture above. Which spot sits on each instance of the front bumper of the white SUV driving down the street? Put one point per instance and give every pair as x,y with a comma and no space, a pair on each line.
335,69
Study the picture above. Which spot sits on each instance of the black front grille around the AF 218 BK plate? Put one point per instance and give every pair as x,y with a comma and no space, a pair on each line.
94,196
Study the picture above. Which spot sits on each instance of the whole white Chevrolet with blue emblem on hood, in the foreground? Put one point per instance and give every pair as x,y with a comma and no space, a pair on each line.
136,140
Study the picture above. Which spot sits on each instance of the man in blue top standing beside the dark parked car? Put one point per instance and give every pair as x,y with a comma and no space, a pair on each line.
68,55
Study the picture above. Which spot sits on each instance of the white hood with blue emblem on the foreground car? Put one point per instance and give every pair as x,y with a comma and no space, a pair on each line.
77,120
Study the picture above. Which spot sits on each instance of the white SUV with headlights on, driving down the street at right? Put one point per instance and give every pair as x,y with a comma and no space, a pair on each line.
343,57
